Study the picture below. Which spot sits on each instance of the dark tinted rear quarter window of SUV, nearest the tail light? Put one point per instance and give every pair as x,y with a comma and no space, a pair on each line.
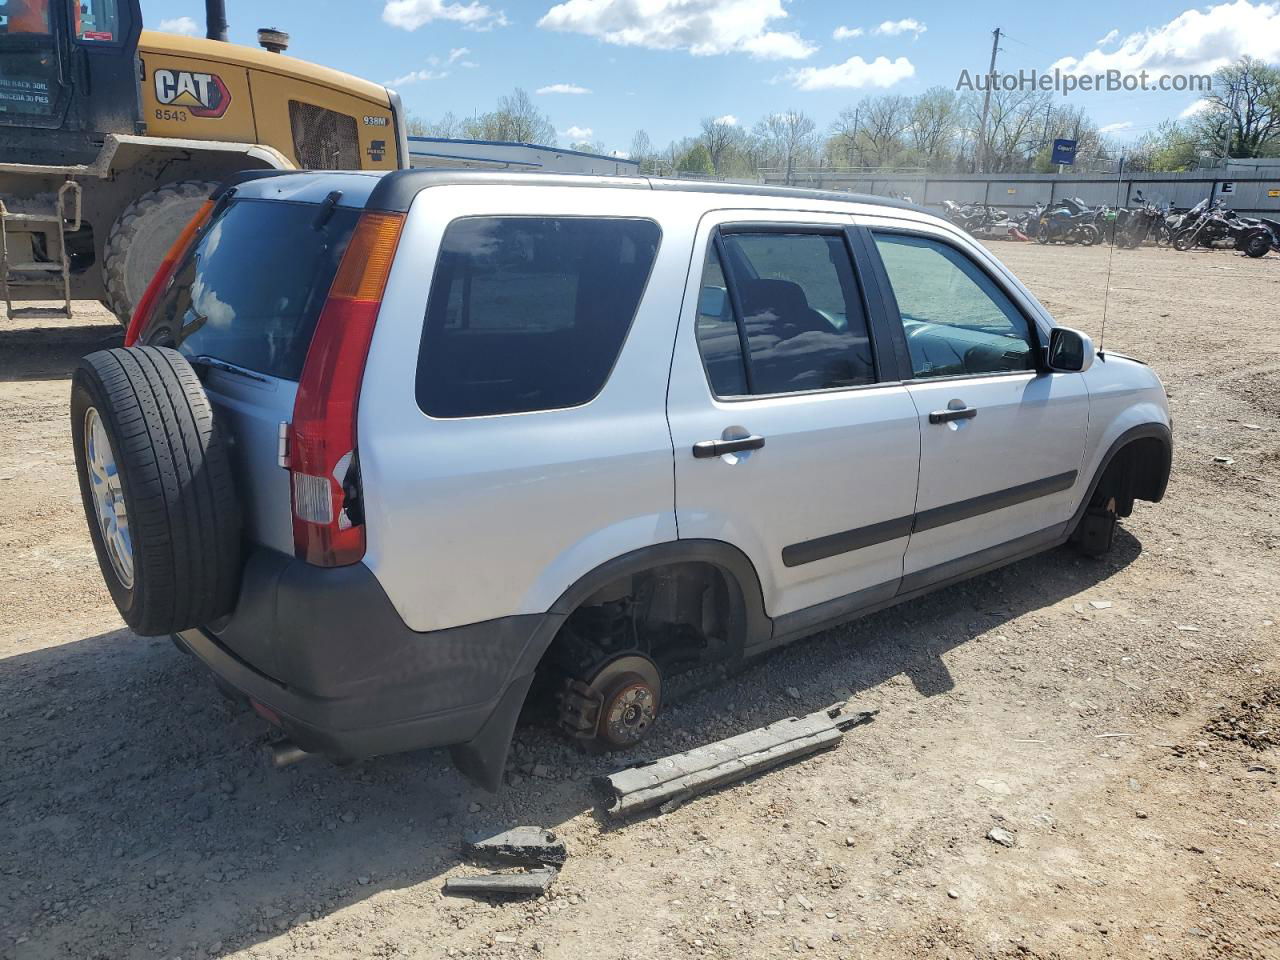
529,313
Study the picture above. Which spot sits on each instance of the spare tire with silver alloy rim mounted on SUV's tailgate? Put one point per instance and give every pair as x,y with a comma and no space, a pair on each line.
157,487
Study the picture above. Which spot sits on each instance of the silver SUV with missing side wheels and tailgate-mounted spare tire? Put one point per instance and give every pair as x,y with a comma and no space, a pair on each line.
385,451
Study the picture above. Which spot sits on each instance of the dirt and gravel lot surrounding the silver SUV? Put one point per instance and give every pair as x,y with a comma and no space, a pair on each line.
1131,746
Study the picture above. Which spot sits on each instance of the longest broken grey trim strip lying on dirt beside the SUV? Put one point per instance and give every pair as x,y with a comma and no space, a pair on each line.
674,780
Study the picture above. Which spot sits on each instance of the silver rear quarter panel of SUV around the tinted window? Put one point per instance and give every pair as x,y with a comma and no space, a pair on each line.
483,518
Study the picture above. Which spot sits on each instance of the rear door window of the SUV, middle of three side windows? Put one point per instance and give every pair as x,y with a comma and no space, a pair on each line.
802,317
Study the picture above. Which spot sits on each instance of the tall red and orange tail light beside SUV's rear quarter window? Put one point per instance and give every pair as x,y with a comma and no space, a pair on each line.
328,520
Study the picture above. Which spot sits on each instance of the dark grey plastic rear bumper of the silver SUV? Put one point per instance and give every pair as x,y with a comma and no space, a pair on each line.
326,651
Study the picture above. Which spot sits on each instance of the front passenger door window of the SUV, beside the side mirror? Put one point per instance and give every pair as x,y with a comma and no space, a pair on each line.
957,319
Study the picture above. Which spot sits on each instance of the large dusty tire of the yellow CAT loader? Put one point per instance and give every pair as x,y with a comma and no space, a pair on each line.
141,236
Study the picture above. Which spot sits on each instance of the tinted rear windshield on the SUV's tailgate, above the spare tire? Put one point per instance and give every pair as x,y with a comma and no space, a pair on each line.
253,289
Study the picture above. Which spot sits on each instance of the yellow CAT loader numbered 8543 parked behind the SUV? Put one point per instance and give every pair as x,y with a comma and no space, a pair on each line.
112,136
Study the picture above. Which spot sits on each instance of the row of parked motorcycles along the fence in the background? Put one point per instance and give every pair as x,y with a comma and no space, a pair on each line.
1072,221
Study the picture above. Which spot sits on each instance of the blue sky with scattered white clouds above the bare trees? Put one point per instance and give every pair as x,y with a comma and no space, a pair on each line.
610,67
